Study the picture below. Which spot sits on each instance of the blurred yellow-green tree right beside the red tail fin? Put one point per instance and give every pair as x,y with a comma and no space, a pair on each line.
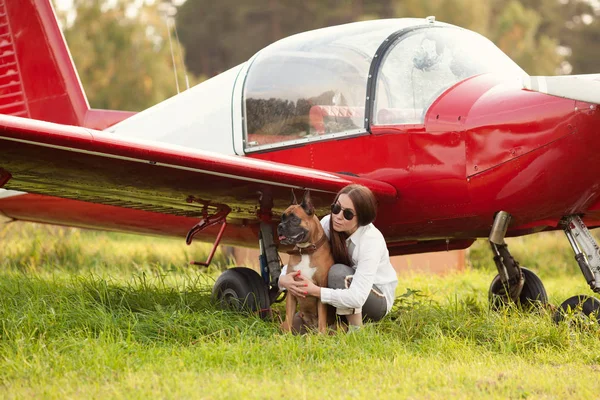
122,54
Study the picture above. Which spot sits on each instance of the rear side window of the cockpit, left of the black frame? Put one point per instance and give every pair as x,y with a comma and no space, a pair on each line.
323,96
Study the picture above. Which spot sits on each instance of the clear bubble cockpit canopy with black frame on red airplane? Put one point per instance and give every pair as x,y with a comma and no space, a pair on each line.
319,84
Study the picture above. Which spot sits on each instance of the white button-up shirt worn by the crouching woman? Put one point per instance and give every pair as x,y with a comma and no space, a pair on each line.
371,261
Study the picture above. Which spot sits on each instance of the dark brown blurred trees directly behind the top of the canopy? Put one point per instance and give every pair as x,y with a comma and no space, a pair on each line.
220,35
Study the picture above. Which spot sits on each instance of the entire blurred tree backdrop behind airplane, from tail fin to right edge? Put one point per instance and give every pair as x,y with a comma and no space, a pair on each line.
122,52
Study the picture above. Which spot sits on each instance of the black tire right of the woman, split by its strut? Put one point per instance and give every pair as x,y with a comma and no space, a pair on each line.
533,294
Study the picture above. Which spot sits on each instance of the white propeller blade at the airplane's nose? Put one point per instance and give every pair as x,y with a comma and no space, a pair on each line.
584,88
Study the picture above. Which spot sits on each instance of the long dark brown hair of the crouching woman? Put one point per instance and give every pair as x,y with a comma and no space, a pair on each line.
365,206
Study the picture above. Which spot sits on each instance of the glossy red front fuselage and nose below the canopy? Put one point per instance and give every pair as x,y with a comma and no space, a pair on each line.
484,147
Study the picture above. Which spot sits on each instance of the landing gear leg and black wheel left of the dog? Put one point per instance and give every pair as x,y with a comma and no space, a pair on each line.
243,289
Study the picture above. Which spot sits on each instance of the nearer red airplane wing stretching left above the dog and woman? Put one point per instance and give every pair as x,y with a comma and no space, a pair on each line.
84,164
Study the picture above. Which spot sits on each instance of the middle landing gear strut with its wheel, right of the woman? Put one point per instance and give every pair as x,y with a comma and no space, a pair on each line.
513,284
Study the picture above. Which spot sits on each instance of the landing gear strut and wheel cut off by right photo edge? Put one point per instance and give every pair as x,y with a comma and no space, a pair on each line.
587,255
